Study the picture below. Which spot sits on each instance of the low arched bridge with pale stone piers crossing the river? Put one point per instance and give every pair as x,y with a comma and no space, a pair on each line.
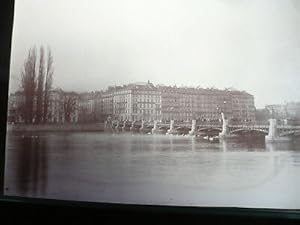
272,132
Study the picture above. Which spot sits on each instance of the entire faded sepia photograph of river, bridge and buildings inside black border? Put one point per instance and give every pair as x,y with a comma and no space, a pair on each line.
161,102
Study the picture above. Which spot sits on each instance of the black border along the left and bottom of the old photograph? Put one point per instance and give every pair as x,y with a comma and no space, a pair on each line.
12,206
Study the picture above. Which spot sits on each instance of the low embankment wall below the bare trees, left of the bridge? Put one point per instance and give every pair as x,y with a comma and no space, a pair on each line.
55,127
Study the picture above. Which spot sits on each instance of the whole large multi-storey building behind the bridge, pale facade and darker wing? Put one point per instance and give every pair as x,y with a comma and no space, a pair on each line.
148,102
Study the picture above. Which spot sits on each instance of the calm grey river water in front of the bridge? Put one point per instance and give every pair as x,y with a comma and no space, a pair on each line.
153,169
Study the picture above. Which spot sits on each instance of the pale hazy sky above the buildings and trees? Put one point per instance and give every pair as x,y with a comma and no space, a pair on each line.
252,45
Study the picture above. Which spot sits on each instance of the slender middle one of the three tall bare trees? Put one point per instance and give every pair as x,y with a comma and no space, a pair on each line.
40,87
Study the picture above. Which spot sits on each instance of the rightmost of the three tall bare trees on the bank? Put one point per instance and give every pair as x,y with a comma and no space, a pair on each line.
48,84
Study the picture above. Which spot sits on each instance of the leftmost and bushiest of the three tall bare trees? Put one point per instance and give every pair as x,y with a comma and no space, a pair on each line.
28,76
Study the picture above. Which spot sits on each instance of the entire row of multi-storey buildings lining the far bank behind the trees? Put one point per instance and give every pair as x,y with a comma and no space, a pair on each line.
145,101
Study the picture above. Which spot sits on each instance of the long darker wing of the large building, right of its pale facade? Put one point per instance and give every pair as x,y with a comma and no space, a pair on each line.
186,104
